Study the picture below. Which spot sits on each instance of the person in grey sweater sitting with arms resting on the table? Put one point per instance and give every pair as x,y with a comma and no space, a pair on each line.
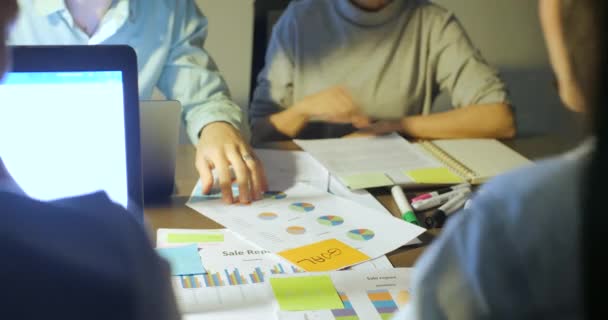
332,65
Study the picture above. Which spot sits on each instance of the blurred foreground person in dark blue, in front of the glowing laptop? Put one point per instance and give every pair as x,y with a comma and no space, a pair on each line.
78,258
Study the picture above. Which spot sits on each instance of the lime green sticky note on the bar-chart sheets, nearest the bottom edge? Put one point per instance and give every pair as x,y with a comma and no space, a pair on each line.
306,293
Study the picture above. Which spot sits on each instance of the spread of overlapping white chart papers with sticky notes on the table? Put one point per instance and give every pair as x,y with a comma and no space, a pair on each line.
273,262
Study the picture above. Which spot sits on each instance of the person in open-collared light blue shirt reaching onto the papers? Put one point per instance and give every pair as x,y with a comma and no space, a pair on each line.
168,37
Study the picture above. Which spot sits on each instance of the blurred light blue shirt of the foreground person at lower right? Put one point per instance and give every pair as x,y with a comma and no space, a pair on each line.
512,254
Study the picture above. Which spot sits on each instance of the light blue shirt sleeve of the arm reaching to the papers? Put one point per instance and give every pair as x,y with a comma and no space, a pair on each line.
192,77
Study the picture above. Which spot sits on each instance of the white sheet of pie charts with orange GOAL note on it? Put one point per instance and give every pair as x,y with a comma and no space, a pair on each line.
313,229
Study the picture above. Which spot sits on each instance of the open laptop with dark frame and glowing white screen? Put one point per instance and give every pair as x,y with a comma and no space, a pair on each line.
69,123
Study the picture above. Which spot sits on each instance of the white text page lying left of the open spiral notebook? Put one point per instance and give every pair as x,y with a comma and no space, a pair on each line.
371,161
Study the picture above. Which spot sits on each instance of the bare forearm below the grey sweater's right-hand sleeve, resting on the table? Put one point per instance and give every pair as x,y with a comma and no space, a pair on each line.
476,121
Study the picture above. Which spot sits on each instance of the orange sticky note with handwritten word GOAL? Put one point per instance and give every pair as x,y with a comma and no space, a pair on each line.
327,255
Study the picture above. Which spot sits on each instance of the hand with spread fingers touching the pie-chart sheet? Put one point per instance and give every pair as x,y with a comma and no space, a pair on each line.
220,147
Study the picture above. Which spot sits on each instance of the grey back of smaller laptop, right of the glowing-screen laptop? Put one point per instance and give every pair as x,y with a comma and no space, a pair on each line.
160,125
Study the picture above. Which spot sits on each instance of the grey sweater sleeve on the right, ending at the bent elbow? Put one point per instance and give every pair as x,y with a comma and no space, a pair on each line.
460,68
